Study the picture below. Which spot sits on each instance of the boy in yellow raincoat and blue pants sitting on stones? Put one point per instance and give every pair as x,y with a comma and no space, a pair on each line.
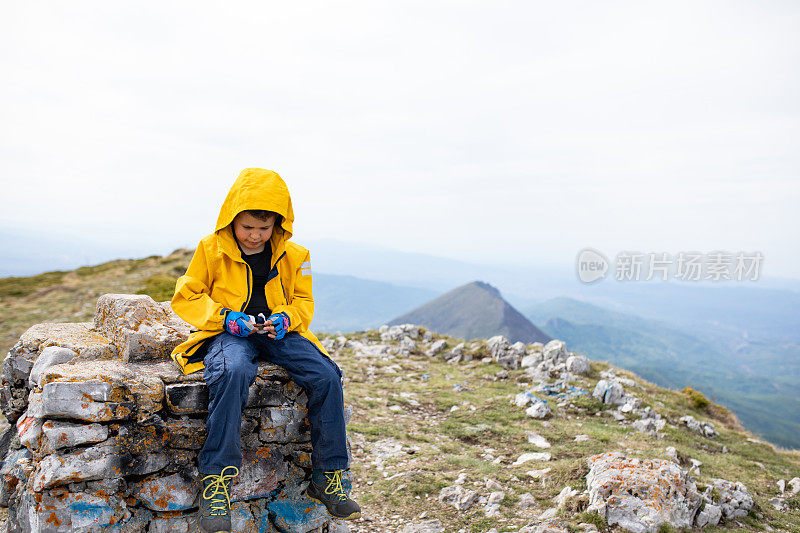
248,267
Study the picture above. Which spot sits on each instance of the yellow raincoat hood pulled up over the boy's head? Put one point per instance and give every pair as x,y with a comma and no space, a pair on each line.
256,188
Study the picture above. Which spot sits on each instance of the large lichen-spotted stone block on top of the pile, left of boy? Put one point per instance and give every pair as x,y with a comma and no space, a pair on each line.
142,329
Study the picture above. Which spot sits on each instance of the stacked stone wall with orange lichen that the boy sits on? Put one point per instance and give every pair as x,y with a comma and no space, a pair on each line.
107,432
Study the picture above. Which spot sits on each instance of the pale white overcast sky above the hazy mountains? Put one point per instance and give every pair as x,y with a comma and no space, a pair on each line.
500,132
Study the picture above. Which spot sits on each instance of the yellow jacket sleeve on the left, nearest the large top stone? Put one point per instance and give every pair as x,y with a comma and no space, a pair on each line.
192,301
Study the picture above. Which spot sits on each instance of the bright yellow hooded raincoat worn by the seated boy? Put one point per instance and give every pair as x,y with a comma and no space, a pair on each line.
218,279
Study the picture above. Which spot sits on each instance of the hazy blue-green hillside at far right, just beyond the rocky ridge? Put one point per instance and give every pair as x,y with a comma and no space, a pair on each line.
766,398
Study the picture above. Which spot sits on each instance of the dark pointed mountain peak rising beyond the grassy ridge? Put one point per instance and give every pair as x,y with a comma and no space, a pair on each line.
472,311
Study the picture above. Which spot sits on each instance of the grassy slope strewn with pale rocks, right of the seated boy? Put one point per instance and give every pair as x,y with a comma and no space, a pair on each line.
421,422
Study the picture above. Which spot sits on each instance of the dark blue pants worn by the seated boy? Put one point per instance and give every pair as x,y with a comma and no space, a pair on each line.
230,369
